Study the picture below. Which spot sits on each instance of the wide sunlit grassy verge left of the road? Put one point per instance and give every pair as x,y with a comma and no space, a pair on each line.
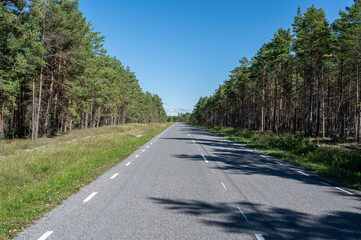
34,182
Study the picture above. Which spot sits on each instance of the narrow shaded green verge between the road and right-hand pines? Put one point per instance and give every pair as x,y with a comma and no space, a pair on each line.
338,163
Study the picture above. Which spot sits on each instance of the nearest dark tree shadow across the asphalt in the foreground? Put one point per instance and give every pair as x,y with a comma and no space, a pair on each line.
290,225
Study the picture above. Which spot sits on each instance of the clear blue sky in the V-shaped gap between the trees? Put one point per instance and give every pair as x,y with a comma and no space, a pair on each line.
183,49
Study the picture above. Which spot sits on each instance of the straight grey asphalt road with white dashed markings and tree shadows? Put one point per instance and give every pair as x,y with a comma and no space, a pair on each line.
189,184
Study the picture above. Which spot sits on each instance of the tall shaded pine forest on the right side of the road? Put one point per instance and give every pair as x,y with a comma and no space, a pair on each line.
305,80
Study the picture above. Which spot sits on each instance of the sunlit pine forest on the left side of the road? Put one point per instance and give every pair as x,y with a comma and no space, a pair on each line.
55,74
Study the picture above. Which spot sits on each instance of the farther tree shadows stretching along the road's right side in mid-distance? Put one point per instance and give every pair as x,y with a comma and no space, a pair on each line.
232,159
